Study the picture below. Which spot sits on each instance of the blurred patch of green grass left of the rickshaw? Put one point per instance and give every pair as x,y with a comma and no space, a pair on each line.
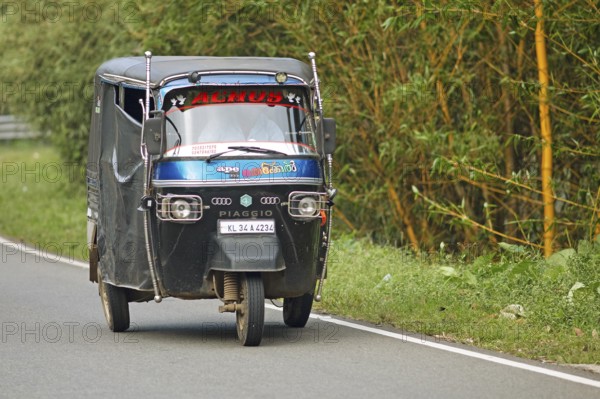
39,202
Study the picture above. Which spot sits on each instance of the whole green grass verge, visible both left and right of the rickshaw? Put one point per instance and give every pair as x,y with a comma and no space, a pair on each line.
465,298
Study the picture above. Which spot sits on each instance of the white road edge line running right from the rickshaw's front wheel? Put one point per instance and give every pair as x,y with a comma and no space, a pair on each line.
460,351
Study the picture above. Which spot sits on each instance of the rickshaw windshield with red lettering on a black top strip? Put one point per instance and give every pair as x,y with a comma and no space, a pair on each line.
202,121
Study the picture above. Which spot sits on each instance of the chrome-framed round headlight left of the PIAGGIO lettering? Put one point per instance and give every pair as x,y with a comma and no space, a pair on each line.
179,208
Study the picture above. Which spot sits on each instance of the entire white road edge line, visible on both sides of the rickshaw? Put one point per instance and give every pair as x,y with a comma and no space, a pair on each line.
403,337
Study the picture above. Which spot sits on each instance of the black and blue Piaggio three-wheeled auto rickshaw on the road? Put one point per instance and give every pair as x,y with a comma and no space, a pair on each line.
210,177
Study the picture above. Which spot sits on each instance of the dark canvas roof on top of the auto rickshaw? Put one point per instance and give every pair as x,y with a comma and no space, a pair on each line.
165,68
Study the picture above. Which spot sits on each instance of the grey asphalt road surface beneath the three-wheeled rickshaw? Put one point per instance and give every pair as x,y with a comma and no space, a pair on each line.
54,342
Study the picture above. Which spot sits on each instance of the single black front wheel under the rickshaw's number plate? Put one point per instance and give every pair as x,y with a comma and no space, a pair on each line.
250,316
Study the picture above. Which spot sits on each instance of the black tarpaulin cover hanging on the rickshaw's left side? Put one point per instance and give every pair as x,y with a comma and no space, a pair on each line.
121,242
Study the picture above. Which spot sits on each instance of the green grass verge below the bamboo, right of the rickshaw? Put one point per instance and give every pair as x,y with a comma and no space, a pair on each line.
468,299
